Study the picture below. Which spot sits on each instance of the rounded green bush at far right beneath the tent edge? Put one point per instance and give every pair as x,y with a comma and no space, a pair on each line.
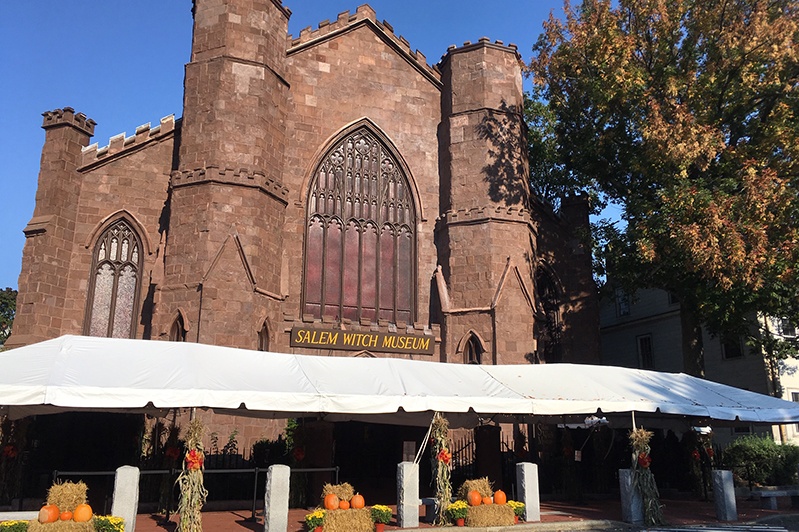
761,461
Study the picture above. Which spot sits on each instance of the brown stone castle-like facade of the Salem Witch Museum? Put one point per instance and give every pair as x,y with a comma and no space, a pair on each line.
221,202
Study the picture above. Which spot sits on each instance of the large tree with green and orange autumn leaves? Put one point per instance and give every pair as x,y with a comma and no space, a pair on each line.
684,112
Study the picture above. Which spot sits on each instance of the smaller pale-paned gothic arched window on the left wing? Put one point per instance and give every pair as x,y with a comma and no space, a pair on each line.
116,282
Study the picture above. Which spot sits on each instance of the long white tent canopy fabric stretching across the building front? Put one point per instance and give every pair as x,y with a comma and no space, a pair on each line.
86,373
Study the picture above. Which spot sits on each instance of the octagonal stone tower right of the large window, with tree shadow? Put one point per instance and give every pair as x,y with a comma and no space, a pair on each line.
485,234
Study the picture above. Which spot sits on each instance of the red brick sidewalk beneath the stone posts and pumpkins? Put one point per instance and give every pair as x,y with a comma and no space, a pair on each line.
555,516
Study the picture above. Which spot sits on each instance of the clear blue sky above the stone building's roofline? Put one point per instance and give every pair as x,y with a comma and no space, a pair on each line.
121,64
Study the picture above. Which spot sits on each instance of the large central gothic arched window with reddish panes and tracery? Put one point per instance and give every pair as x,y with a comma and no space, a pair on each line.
360,234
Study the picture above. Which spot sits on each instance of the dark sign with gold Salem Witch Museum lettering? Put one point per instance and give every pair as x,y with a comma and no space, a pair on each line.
361,341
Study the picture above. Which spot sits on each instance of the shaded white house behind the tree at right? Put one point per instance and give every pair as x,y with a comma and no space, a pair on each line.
644,331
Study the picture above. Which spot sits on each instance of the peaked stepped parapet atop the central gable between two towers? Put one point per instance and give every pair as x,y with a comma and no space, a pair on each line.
363,14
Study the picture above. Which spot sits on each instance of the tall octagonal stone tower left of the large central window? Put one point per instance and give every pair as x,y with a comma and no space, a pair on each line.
224,244
